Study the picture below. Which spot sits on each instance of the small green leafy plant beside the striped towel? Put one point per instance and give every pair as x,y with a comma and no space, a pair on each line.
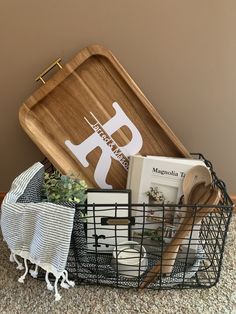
63,188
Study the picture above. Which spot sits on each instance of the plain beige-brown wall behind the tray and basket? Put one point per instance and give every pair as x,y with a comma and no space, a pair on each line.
182,54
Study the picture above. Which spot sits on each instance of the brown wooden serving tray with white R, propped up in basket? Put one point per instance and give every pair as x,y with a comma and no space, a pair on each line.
91,116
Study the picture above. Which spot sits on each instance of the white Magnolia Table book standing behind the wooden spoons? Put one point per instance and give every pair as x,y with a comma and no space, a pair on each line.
157,180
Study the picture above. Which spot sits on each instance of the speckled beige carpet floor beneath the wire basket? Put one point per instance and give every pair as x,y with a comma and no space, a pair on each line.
32,296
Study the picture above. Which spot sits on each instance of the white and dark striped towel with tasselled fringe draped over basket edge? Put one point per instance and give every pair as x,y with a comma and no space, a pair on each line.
36,231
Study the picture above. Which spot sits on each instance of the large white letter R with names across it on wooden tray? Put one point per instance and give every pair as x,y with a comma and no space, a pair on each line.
102,138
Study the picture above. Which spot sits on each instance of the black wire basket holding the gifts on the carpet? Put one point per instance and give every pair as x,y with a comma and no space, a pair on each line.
144,257
